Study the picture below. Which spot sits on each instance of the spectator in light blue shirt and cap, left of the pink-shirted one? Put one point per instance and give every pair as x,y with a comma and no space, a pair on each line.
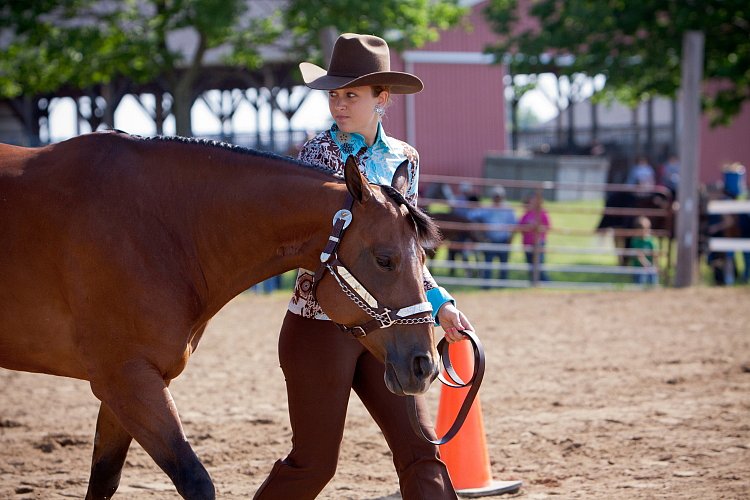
505,218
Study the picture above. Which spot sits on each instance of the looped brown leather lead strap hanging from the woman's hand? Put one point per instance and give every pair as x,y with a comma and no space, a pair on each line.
456,382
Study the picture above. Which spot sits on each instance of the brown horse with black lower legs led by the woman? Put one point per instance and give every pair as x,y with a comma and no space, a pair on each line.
116,251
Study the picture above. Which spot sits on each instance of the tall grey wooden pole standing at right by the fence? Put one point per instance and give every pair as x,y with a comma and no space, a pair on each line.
687,193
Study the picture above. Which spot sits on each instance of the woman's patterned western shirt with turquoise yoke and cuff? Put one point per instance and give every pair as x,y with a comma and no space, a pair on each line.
378,163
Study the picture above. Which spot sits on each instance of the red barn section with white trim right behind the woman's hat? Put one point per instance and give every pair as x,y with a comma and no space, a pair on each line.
460,114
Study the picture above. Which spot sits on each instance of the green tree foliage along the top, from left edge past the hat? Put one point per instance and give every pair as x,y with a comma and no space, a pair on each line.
48,45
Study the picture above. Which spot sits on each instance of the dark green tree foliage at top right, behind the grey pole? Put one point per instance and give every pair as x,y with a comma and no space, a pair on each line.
635,45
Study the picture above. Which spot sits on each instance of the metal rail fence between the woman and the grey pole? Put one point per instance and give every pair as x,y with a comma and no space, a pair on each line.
583,254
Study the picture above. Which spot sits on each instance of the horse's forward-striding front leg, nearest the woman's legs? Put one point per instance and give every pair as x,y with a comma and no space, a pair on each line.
139,398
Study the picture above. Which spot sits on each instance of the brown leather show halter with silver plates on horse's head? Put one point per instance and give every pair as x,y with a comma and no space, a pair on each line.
382,317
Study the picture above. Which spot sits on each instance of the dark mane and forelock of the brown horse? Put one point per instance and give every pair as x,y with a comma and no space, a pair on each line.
427,231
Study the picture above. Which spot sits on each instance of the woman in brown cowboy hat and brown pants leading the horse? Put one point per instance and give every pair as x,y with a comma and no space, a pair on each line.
359,83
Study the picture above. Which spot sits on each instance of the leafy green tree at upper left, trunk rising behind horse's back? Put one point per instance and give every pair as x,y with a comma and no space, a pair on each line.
81,43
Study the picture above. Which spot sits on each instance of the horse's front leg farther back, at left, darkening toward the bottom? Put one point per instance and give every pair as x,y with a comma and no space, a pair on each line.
111,444
